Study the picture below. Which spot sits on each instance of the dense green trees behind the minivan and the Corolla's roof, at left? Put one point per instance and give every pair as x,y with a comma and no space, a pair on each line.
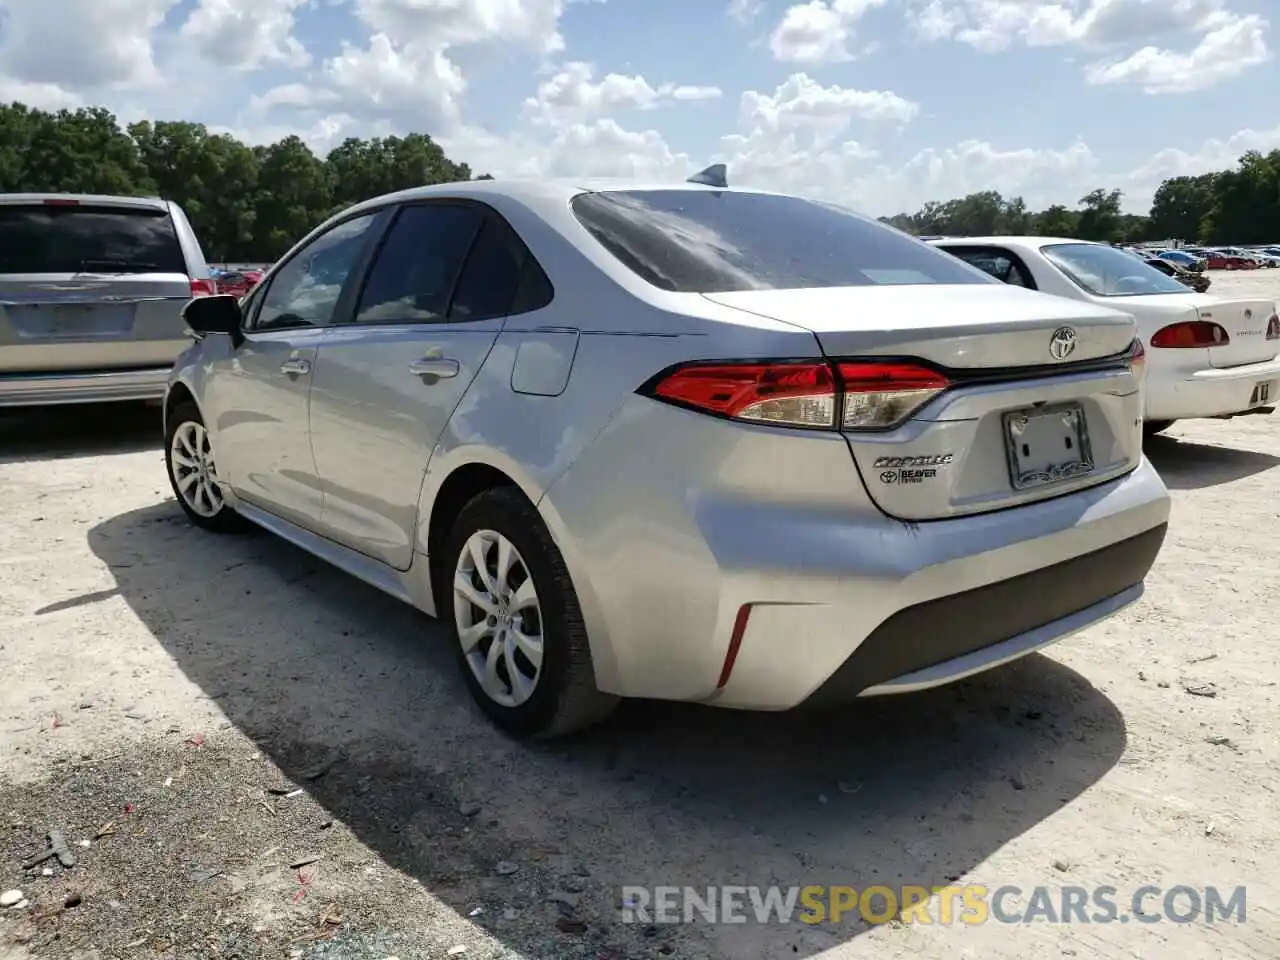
248,203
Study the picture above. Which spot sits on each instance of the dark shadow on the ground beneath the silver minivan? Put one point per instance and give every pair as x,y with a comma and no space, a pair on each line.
79,431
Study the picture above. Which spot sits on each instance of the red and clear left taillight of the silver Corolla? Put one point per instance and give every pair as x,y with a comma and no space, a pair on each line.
856,396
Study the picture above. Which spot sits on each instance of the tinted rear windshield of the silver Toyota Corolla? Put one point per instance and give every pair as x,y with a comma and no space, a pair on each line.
714,243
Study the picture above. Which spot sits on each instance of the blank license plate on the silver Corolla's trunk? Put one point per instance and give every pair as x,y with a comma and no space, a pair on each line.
1048,446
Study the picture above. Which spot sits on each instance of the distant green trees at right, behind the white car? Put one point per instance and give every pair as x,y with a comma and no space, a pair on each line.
1231,207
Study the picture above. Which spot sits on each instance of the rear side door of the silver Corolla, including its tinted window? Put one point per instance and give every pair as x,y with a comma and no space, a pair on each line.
388,381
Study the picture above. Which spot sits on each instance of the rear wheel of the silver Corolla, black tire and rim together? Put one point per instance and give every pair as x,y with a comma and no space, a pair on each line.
522,641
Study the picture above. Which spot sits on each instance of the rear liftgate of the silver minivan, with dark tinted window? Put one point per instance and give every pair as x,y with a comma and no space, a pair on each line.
90,286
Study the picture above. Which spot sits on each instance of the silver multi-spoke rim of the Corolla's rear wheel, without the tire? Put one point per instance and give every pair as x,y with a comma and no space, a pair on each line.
499,618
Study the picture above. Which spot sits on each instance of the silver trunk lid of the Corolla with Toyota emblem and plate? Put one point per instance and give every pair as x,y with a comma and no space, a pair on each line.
1022,417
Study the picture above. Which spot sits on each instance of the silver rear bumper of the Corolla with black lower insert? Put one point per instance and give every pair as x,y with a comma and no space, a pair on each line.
724,596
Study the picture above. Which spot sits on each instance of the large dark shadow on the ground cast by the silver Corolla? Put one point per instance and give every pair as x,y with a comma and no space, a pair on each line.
307,662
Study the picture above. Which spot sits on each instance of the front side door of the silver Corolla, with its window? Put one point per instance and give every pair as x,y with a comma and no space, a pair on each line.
262,409
